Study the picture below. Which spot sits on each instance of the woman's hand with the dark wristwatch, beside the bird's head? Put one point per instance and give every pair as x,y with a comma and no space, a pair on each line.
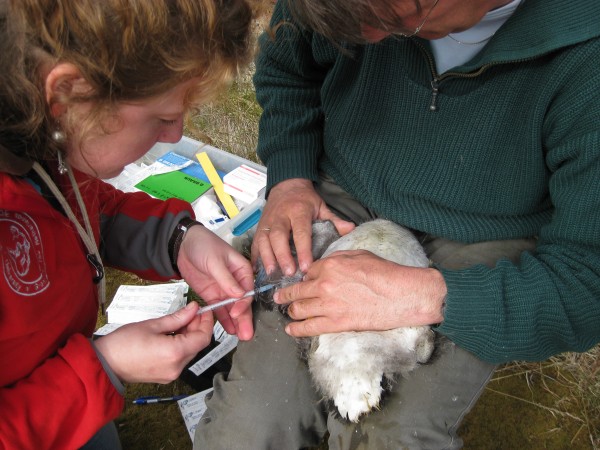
216,271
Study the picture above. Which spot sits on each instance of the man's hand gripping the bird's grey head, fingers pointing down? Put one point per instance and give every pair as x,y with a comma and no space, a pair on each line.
291,208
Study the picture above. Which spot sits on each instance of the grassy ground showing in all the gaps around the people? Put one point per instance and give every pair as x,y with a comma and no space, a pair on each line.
554,404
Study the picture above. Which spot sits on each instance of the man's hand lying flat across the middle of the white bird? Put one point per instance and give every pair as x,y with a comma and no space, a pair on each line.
358,291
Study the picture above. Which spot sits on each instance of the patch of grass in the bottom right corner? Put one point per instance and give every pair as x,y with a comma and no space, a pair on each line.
554,404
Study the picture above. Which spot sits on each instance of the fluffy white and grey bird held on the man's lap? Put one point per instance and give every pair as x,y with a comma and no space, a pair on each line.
352,369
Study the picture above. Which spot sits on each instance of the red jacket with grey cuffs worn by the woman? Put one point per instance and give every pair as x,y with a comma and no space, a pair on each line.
54,392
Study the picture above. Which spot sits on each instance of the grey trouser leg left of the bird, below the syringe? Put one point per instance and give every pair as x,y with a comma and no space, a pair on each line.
267,401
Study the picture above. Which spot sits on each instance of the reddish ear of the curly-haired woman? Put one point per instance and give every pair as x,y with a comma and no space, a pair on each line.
62,82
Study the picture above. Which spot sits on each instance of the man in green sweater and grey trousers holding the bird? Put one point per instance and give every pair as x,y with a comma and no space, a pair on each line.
474,123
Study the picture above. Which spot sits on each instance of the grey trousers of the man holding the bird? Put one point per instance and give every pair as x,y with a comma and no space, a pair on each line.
268,402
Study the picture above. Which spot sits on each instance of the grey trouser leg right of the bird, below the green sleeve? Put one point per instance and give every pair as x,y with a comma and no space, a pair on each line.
424,409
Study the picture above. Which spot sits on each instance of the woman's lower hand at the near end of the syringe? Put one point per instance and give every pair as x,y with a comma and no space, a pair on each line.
148,352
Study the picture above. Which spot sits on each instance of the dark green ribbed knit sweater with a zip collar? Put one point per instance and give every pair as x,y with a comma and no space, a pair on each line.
512,151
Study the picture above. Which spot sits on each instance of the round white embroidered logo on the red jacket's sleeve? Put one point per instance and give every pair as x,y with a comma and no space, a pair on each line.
22,254
